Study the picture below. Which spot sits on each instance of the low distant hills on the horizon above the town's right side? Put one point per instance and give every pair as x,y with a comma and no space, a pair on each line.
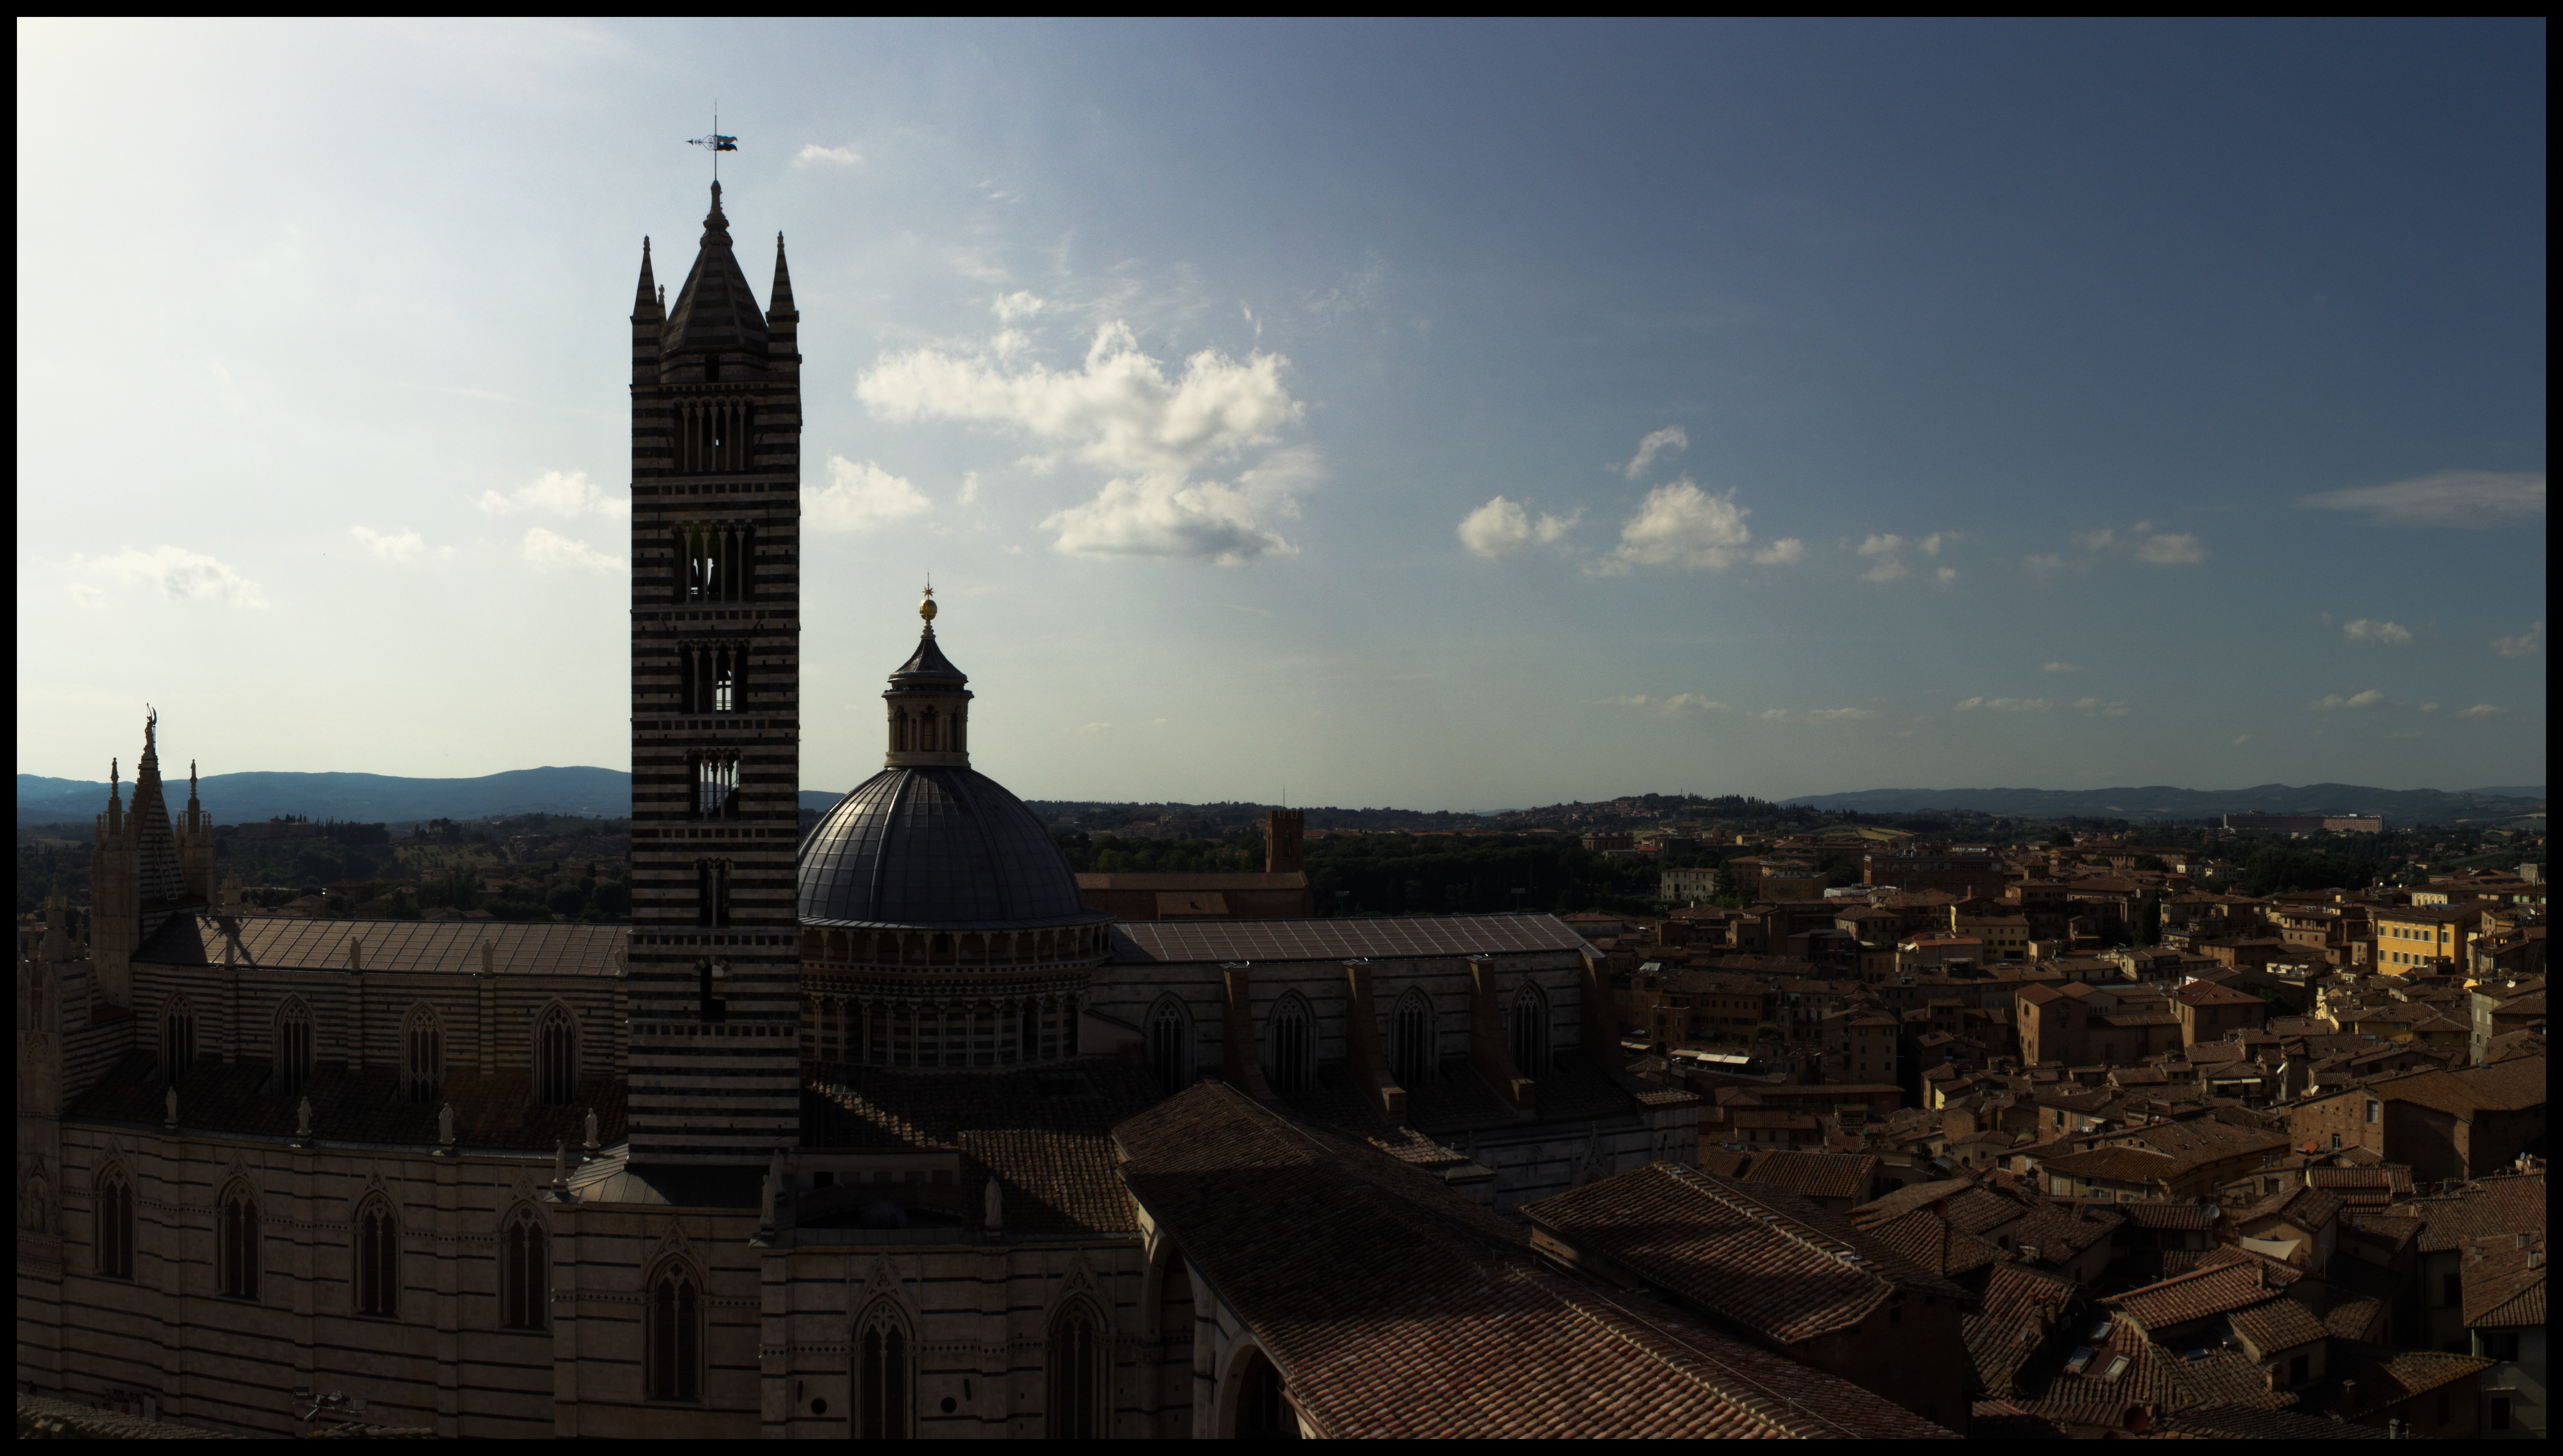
2167,804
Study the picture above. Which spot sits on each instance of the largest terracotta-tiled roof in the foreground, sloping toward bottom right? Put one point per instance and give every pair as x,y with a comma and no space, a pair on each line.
1398,1309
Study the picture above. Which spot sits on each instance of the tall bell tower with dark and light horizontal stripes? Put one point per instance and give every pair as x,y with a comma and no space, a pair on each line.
716,714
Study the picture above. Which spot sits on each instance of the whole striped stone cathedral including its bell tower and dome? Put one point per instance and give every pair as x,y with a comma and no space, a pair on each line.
880,1132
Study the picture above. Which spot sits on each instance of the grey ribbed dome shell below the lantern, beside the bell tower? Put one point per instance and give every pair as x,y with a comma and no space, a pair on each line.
937,847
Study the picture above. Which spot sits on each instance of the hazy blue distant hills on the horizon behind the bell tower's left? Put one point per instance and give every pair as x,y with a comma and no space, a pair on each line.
370,798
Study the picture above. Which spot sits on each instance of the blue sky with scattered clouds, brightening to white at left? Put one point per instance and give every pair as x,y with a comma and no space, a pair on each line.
1447,417
